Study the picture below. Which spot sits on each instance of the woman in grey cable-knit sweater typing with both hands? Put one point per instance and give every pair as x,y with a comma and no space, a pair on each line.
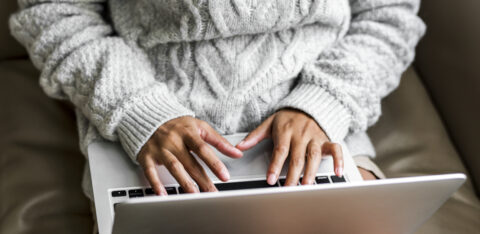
165,78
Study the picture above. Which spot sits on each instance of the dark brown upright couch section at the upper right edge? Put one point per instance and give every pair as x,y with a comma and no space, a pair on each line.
448,62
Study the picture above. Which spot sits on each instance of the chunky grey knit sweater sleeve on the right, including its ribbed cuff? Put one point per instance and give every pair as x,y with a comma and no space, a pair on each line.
343,88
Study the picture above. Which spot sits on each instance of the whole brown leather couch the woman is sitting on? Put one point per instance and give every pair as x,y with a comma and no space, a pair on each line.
429,126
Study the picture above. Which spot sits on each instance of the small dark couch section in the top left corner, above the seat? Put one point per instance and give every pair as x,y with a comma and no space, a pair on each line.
9,48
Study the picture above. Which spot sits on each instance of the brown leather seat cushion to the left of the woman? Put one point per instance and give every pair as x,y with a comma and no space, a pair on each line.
40,164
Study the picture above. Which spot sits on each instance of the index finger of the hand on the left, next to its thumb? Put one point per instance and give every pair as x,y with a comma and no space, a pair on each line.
205,152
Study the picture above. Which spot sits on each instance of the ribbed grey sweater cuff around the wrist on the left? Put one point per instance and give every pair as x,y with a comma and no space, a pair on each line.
145,115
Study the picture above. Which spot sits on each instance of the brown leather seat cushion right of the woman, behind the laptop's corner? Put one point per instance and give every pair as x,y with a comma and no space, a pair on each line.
411,140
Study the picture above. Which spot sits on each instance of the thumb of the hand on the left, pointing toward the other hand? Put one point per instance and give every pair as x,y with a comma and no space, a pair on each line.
212,137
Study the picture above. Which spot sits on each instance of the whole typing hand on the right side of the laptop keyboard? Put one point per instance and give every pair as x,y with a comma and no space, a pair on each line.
296,134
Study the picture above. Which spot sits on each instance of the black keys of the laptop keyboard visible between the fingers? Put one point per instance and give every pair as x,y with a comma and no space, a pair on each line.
139,192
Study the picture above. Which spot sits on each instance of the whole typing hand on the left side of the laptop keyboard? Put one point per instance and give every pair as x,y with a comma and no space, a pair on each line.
171,145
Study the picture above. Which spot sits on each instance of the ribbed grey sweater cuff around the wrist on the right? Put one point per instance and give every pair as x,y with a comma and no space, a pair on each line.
324,108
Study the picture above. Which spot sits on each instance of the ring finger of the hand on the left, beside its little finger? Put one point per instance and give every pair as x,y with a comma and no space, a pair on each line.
177,170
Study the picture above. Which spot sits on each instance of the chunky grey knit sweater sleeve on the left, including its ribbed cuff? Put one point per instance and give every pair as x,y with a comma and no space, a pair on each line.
82,60
